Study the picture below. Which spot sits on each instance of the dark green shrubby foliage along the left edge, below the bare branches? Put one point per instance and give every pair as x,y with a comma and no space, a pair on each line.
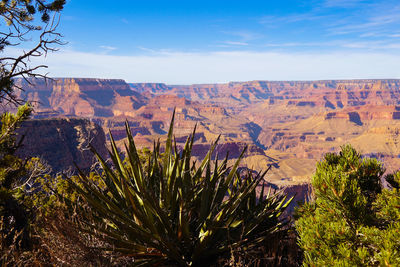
17,216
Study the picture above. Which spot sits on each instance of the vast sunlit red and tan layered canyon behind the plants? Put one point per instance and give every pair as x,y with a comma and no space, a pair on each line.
288,125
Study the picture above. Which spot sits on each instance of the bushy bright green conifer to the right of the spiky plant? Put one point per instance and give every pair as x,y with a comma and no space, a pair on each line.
353,221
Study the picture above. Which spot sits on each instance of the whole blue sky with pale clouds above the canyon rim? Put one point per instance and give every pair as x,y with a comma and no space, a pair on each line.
185,42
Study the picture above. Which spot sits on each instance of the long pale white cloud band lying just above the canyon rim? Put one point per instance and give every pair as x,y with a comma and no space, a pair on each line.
210,67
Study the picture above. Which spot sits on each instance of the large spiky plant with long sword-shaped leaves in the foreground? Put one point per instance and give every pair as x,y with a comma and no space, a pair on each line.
176,211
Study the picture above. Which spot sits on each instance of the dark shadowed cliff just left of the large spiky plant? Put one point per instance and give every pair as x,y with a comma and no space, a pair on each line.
62,142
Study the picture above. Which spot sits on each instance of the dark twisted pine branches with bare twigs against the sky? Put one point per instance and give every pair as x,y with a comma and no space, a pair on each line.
19,18
